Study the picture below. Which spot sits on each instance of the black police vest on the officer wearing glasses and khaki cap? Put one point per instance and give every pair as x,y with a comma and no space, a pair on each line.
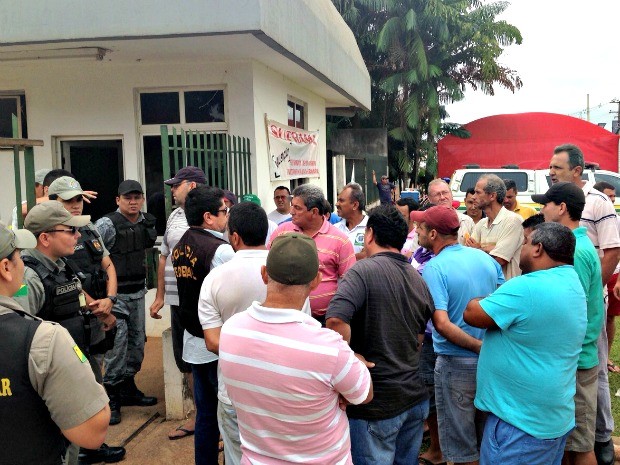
62,300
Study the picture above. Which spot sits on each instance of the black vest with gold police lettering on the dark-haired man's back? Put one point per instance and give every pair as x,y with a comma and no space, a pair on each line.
191,260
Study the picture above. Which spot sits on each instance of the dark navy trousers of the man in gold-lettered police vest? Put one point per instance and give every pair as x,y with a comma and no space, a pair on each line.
206,434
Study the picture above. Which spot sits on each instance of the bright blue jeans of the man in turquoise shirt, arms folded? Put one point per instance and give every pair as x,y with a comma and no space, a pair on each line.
508,445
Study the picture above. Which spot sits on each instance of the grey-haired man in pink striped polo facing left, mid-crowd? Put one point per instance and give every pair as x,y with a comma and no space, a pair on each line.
336,254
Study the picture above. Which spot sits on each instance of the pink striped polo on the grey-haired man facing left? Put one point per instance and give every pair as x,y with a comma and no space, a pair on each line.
336,256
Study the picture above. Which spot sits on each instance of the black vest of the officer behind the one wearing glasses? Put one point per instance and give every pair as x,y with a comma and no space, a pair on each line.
87,262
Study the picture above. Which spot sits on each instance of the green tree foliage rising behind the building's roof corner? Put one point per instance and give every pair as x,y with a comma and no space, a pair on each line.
422,55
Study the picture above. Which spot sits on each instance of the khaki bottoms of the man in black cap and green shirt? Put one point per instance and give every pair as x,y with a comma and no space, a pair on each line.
582,437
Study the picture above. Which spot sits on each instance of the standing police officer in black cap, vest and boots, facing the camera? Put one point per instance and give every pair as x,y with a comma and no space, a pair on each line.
127,233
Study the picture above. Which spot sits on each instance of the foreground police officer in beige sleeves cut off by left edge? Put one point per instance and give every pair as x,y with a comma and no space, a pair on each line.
47,388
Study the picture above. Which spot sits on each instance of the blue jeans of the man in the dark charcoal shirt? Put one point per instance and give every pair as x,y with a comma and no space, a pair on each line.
394,440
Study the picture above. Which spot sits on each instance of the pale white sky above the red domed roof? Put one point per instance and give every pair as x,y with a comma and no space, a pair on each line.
570,49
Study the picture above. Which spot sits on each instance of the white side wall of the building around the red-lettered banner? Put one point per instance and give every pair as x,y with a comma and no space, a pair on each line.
271,92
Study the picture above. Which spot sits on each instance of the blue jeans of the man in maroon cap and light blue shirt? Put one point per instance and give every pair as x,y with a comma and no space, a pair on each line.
455,390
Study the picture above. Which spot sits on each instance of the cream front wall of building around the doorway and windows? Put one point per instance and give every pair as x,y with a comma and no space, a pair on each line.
86,99
